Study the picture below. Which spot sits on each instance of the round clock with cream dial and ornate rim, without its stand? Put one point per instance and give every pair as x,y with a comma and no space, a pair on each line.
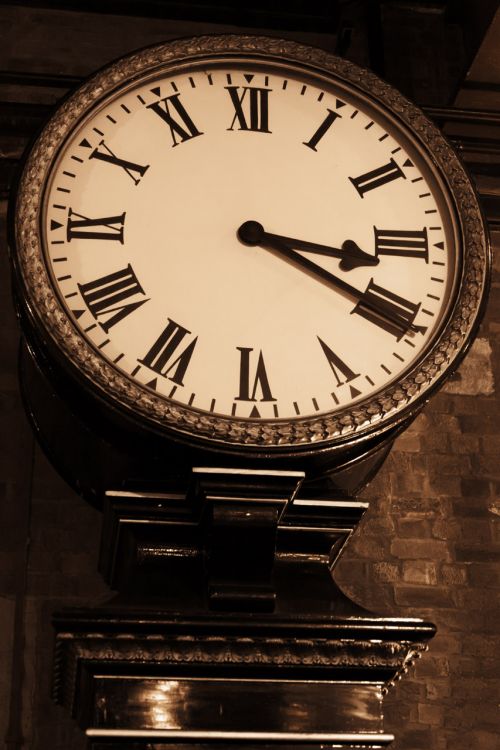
250,246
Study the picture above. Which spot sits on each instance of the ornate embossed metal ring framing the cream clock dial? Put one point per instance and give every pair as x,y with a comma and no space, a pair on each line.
388,406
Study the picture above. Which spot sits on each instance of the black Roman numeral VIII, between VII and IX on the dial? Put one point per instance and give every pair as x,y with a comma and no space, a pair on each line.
107,296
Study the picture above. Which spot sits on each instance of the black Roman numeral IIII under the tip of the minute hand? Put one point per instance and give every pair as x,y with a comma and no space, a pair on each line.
393,313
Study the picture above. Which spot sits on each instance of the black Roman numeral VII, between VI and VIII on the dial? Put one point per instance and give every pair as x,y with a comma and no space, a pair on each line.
166,356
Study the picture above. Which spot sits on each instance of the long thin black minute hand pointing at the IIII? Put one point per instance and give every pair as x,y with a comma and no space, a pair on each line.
382,309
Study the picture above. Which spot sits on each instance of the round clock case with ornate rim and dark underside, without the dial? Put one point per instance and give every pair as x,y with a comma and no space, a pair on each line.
143,428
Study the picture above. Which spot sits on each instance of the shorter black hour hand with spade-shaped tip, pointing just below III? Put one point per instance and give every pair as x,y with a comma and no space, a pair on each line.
253,233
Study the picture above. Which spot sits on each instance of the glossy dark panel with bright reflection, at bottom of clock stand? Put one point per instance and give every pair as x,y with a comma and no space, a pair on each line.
227,707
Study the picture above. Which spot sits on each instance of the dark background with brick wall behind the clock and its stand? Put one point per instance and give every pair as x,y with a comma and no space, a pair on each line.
430,544
